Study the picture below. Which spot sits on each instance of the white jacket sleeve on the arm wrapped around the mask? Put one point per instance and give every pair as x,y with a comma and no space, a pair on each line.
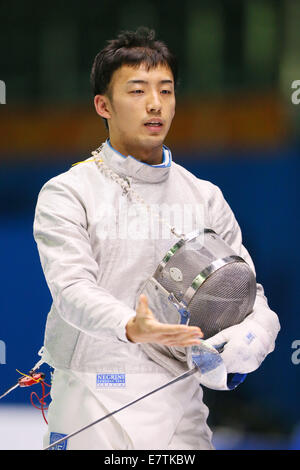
224,223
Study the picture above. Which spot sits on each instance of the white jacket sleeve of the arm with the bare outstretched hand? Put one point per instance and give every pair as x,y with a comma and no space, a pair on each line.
70,269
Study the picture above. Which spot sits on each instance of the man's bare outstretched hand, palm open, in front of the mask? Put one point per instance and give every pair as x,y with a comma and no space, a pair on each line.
144,328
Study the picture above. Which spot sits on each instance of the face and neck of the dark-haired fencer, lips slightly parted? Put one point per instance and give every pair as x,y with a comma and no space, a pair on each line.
137,96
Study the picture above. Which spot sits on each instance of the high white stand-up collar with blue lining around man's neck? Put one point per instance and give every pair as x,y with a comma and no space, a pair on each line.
130,166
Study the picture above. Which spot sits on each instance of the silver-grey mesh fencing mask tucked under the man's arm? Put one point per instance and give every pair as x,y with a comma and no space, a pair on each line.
200,282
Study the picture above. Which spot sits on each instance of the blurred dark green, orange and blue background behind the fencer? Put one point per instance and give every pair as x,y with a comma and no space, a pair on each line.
237,125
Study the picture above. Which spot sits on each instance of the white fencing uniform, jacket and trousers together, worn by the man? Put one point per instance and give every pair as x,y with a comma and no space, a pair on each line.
97,250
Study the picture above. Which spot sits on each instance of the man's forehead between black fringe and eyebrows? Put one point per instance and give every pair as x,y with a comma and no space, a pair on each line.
126,73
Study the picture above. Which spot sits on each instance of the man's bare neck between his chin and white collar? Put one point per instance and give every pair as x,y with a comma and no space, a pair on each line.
153,156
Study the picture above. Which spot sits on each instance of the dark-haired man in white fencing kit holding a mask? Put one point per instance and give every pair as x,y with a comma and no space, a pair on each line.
96,258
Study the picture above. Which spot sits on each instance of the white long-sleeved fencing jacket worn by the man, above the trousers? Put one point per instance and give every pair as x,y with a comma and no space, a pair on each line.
97,252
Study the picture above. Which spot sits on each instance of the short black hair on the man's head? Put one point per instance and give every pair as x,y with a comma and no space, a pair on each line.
130,48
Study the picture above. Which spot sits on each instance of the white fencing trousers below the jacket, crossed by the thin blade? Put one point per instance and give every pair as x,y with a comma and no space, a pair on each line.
173,418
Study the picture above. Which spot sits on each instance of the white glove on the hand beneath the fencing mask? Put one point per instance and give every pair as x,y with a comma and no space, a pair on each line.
245,346
